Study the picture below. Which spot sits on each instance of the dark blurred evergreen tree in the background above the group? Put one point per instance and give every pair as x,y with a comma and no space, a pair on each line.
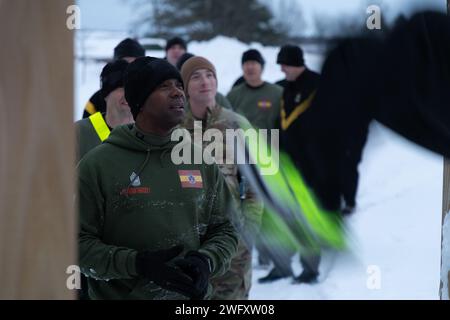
246,20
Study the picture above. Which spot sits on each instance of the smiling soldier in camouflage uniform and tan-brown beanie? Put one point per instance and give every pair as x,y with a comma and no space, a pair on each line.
200,83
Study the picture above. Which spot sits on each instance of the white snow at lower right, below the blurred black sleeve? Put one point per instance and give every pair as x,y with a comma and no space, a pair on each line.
395,232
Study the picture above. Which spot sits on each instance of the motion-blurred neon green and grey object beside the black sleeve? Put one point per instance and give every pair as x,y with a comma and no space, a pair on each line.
296,217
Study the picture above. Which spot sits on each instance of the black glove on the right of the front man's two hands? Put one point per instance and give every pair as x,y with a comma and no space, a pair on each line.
196,266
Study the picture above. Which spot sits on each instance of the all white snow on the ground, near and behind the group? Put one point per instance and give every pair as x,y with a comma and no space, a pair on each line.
395,232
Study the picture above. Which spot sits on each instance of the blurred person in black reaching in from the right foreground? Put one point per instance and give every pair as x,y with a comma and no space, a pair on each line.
401,80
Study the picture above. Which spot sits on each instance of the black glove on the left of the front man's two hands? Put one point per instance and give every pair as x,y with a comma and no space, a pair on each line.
153,266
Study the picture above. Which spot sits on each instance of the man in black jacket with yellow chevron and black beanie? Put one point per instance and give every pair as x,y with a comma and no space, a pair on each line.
296,120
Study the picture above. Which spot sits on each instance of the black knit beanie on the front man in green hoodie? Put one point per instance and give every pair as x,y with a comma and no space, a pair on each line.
143,76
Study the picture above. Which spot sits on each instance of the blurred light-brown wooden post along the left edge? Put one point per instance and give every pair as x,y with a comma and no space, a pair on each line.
37,217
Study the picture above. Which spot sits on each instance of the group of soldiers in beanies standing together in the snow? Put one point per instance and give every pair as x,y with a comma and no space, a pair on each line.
150,229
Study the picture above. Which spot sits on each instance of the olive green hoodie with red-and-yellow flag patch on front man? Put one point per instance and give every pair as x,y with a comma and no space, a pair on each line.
132,197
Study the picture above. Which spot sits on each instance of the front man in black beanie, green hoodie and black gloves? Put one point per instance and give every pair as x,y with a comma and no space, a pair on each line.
168,226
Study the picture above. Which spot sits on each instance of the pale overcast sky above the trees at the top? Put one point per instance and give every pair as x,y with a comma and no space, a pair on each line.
118,14
